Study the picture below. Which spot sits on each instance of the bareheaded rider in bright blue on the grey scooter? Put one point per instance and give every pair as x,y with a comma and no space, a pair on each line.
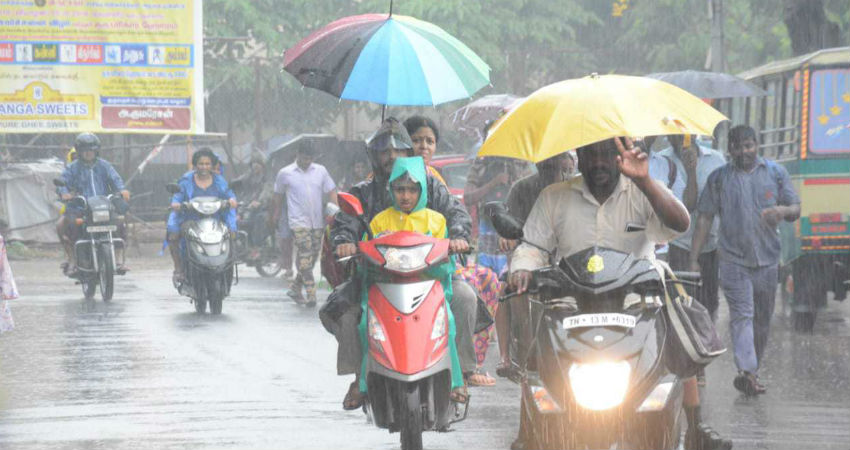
200,182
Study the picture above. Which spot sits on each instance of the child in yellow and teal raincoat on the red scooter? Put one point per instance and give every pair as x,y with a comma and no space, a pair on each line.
408,190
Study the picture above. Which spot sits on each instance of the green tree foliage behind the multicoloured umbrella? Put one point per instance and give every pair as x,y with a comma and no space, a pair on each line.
527,43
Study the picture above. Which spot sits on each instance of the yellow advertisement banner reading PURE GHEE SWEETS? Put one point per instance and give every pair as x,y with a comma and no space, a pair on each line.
119,66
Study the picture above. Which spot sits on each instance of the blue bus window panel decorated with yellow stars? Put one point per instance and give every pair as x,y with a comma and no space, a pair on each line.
829,113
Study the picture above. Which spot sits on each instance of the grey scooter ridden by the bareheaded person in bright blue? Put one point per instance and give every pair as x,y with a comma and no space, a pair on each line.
207,255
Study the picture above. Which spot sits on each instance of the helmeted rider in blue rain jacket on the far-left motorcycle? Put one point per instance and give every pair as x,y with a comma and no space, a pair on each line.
89,176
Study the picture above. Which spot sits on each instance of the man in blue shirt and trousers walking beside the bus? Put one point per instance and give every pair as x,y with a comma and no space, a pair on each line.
751,195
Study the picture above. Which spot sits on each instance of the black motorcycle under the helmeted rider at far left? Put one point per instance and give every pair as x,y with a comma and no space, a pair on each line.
94,250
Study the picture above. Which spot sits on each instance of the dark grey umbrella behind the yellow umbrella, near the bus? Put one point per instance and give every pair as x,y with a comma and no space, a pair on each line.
710,84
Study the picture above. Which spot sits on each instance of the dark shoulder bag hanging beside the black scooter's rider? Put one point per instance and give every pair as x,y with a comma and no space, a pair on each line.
693,339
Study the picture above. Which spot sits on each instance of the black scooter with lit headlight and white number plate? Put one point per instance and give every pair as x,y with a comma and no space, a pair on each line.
595,375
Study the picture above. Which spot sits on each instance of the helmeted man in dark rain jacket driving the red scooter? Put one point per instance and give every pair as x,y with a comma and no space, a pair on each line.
390,141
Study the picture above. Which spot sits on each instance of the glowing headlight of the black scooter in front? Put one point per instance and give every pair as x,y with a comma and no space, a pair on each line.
600,385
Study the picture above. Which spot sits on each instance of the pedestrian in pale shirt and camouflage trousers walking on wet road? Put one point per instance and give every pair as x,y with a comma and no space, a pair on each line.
304,183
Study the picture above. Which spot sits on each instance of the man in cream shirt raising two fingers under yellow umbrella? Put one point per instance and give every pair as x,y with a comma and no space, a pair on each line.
629,213
